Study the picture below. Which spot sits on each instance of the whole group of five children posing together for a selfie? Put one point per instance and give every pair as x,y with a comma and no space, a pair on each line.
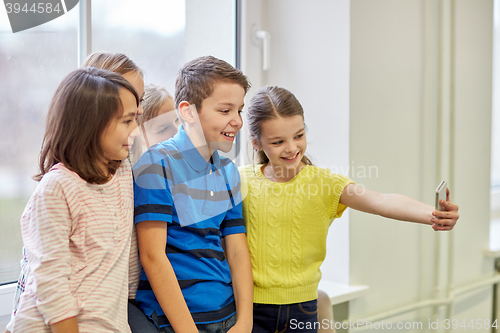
222,249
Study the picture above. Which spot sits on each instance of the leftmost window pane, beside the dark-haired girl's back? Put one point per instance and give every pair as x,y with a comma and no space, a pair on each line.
32,64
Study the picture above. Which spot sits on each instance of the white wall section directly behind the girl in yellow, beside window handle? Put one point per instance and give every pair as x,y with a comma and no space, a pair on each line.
310,57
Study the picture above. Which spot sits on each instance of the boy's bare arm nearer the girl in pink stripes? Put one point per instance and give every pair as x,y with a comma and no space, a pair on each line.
152,237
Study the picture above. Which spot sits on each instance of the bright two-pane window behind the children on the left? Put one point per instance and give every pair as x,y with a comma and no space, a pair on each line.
159,35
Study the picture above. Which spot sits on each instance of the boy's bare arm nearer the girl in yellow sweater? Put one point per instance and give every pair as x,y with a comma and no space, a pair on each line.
238,257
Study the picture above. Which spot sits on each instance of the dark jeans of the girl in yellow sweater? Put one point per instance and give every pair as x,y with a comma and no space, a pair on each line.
298,317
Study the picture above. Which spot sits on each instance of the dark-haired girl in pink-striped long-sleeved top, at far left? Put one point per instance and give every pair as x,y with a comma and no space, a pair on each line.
77,226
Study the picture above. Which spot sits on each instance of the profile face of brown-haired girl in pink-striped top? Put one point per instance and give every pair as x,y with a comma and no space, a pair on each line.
117,138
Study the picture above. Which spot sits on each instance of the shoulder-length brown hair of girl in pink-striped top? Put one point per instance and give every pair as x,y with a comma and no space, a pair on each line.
83,105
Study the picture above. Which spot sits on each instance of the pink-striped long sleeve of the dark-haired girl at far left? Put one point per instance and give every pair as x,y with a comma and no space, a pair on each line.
46,228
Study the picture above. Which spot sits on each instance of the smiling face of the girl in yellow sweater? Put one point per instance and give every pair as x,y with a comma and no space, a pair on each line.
284,142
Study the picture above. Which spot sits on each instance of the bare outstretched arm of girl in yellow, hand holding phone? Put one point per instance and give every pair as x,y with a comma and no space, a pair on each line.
400,207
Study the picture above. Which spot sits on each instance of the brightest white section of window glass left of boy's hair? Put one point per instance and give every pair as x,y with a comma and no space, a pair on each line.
150,32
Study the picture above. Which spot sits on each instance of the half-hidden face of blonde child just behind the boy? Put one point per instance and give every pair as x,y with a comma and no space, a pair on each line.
164,125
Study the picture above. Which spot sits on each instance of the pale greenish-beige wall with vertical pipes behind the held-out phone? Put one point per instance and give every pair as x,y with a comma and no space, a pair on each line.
417,67
